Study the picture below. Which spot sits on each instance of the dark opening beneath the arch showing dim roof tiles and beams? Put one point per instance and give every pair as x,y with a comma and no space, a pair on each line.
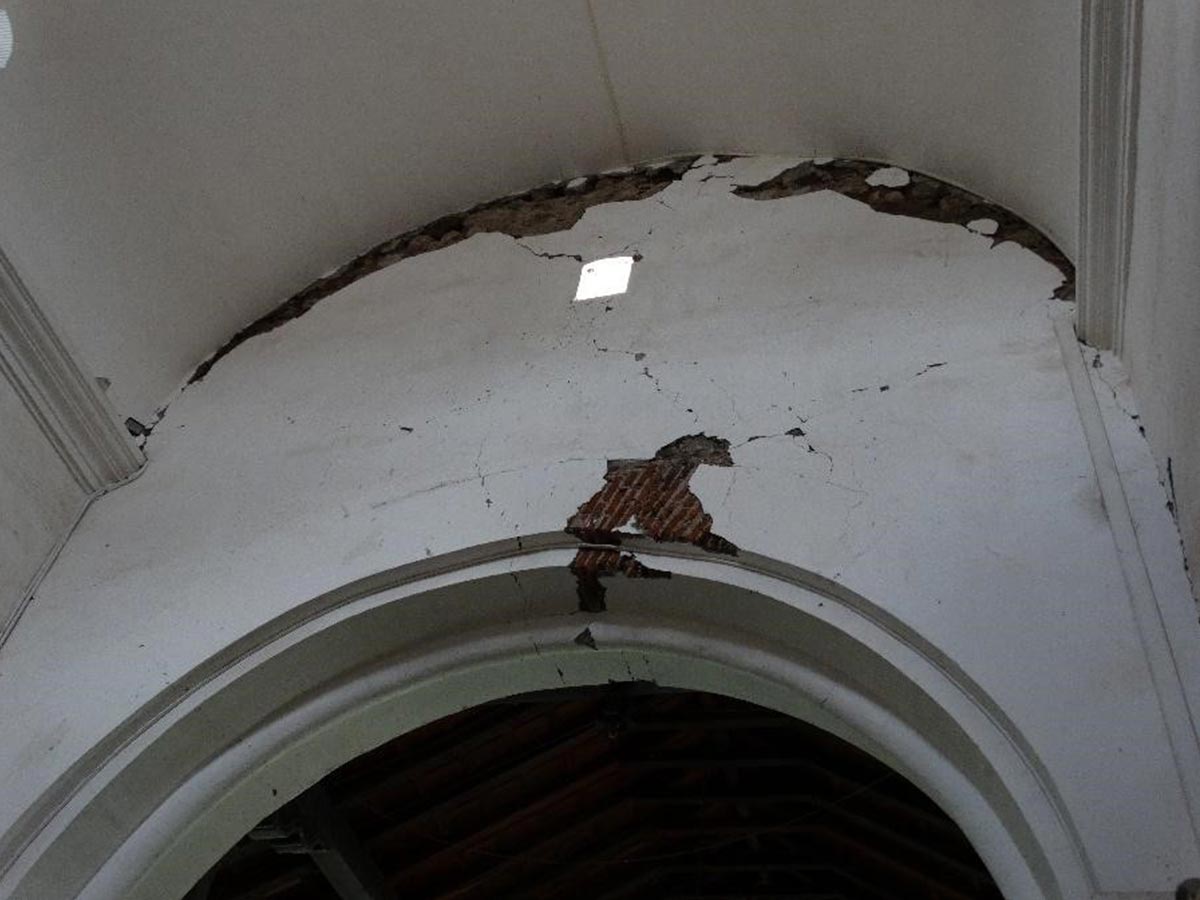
623,793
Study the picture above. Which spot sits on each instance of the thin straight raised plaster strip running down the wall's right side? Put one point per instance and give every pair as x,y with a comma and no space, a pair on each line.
1179,698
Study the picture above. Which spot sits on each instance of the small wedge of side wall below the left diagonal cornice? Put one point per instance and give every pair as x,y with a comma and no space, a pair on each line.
39,501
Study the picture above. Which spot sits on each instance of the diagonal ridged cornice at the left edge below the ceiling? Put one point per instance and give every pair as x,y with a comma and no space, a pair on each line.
67,405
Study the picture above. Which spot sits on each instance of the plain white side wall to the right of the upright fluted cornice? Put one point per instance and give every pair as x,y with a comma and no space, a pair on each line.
1162,337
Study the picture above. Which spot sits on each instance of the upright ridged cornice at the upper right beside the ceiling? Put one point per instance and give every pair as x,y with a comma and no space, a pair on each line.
1112,55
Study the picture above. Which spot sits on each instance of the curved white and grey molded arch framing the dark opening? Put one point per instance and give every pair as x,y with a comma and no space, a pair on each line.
154,807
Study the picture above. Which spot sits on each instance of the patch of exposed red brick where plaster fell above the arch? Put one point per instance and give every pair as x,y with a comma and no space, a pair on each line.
655,496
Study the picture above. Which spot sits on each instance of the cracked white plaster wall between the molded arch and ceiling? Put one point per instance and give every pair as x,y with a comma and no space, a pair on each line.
461,398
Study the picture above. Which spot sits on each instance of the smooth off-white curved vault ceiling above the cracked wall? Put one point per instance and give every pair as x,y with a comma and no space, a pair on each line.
171,171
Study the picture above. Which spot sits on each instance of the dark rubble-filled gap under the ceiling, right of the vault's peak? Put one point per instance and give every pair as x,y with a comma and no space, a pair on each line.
922,197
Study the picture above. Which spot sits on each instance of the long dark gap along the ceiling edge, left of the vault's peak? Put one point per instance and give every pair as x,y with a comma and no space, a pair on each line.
551,208
